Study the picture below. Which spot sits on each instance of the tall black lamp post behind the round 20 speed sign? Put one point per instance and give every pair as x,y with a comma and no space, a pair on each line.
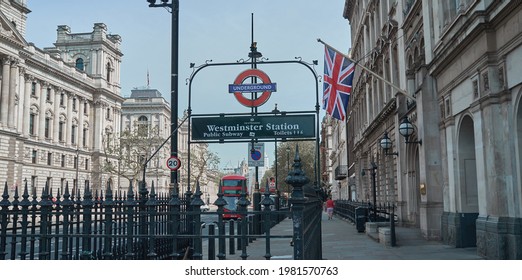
174,6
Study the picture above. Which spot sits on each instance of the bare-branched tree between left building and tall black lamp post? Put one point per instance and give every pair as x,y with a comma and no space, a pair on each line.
125,154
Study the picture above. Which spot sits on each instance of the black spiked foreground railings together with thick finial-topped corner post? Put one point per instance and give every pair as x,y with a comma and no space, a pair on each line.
144,225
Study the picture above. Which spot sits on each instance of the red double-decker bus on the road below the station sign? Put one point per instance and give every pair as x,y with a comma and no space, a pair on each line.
231,186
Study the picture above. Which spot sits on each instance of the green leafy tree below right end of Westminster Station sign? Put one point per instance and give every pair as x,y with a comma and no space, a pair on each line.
285,161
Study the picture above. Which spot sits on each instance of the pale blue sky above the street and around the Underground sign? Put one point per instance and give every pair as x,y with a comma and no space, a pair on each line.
210,31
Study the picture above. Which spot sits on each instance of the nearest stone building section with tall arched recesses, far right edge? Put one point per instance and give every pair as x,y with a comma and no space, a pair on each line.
476,63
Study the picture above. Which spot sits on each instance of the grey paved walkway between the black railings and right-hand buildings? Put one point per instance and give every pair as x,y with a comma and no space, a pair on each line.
341,241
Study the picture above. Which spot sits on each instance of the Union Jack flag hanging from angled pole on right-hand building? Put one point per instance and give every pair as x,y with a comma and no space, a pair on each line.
337,83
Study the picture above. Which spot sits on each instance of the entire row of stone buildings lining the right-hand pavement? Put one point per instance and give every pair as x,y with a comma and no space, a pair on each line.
458,178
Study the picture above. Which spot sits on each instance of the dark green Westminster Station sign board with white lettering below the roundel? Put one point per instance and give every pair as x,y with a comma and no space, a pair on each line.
248,127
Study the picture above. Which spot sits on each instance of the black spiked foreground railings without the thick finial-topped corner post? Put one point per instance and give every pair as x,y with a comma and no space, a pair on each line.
116,226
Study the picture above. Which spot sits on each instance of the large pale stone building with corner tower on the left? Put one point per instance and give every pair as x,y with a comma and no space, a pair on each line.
56,103
